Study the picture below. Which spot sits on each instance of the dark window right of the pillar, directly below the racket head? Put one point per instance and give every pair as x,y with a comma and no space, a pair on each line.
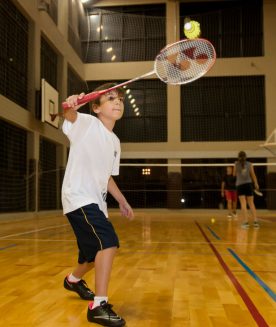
223,109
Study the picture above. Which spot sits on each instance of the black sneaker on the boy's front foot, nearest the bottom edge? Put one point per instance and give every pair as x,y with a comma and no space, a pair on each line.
105,316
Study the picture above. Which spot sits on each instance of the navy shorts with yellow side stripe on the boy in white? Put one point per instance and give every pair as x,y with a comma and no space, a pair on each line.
94,232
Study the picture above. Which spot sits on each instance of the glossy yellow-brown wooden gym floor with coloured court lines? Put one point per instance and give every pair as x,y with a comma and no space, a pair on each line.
174,269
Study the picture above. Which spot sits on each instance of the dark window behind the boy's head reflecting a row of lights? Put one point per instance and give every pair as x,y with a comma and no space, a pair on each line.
145,116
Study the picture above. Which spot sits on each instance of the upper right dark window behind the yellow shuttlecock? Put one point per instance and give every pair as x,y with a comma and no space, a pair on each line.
235,27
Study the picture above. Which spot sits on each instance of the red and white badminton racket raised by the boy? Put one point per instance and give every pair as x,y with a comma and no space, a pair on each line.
179,63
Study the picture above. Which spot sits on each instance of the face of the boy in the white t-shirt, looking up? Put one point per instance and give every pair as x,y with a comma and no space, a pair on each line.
111,106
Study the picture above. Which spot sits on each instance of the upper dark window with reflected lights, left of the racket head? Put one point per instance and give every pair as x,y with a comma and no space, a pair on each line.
120,34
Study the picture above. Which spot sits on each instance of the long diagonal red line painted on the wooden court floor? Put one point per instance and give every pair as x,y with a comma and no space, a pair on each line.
246,299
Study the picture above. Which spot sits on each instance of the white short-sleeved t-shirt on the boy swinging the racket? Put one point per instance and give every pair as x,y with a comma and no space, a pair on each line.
94,156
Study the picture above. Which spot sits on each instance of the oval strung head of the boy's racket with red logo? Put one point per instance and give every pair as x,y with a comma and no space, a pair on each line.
184,62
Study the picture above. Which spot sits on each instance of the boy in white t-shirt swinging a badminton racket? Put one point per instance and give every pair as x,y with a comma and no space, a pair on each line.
94,157
